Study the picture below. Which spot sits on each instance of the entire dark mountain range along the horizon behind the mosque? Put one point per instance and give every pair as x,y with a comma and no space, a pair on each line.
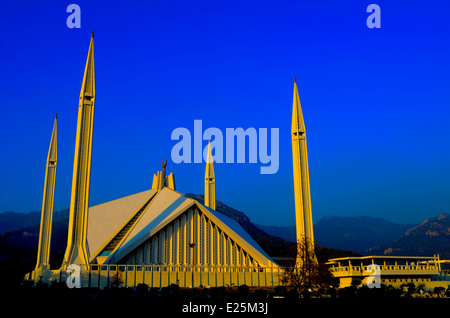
338,236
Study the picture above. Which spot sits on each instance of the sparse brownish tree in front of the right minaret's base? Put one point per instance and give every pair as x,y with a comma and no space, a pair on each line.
306,272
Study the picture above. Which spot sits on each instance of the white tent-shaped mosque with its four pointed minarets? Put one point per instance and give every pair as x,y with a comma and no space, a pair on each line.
159,236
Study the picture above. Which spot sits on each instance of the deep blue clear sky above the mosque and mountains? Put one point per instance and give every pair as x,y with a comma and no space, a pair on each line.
375,101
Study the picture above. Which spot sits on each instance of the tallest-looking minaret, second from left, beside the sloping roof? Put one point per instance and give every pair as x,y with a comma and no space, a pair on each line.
77,250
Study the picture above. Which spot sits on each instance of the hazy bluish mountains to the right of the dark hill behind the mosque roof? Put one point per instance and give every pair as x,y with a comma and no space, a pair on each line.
375,236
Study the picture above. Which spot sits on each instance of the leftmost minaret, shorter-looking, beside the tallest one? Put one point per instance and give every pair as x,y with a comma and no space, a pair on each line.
45,232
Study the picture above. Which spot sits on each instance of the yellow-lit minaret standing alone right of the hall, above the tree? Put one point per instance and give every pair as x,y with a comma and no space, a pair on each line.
302,193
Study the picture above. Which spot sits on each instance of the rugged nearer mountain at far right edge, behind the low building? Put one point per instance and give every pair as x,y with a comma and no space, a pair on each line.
430,237
